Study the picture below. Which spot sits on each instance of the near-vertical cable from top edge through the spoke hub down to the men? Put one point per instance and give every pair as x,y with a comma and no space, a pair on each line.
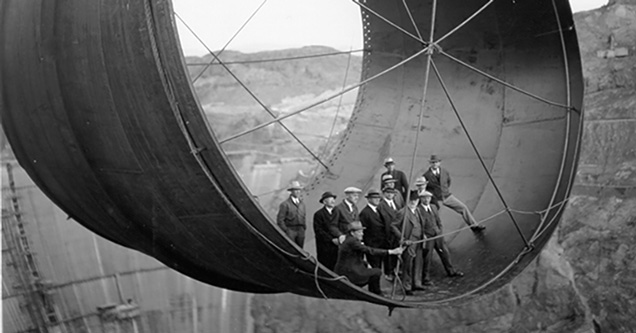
427,71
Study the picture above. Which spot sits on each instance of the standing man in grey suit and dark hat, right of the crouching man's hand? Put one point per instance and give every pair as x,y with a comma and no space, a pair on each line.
408,223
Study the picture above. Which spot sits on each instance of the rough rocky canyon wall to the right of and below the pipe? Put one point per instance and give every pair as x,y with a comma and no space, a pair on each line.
584,280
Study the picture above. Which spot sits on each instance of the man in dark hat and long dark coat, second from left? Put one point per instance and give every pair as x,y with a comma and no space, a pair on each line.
328,236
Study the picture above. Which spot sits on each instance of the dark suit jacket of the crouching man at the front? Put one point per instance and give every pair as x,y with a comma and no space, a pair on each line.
351,260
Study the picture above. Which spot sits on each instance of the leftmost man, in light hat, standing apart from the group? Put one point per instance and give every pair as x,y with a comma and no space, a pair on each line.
291,215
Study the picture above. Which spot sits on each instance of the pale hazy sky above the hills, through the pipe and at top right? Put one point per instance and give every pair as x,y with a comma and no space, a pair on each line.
280,23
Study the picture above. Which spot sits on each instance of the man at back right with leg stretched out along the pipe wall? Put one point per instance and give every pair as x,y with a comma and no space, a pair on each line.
439,181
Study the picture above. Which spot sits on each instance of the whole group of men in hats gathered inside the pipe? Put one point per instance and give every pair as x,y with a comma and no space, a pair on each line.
361,245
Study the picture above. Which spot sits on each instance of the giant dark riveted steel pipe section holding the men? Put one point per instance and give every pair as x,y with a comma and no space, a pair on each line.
98,107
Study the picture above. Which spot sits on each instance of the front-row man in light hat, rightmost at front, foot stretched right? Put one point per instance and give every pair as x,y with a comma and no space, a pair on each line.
432,227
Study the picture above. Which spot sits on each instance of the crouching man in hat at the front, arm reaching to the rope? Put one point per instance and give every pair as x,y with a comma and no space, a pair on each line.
351,261
